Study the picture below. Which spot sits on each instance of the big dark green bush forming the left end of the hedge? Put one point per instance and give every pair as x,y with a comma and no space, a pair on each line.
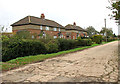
22,48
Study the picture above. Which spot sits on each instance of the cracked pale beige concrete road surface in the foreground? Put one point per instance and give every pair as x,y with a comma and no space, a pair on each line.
97,64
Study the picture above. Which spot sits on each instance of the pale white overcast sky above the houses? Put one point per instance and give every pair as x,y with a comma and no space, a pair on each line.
84,12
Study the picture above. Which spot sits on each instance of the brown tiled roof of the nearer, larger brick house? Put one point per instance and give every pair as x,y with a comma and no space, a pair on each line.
37,21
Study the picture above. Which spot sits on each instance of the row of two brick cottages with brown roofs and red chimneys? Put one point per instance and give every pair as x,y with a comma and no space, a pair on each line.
47,27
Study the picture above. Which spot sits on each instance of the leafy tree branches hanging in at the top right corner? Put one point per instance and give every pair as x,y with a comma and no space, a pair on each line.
115,8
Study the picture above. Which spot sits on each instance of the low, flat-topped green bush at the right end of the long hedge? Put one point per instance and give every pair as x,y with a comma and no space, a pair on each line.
84,42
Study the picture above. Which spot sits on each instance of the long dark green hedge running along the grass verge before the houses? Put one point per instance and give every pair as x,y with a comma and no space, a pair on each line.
15,47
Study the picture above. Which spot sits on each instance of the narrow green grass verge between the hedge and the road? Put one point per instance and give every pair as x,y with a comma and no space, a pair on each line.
20,61
